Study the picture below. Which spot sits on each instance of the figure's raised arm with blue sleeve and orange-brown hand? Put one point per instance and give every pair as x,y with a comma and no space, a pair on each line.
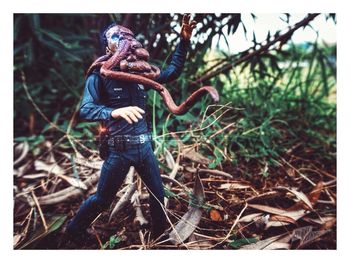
175,68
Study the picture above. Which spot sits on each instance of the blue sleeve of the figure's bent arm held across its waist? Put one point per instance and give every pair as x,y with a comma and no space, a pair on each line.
92,108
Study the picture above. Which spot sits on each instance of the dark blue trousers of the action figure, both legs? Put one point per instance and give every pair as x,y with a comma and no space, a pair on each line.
113,173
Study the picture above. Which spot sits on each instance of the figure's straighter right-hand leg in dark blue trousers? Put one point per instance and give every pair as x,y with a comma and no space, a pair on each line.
148,169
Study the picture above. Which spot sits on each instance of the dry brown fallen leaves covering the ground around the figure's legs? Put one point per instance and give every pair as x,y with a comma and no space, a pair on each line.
236,213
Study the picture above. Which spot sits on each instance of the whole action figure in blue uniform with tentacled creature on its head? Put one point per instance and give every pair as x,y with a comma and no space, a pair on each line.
115,94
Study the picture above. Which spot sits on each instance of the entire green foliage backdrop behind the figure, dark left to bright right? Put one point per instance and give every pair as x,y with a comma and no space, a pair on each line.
279,99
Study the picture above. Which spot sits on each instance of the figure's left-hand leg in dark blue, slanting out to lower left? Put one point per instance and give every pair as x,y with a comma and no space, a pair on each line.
113,173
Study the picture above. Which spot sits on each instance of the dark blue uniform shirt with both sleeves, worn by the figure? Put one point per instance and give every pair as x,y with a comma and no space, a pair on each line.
102,96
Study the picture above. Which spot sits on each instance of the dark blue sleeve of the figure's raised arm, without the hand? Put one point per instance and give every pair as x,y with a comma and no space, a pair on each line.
175,68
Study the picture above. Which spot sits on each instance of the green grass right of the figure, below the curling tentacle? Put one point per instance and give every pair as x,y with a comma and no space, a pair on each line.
270,112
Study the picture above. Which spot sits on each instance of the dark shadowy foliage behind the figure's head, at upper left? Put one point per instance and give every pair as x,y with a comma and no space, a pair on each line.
55,50
